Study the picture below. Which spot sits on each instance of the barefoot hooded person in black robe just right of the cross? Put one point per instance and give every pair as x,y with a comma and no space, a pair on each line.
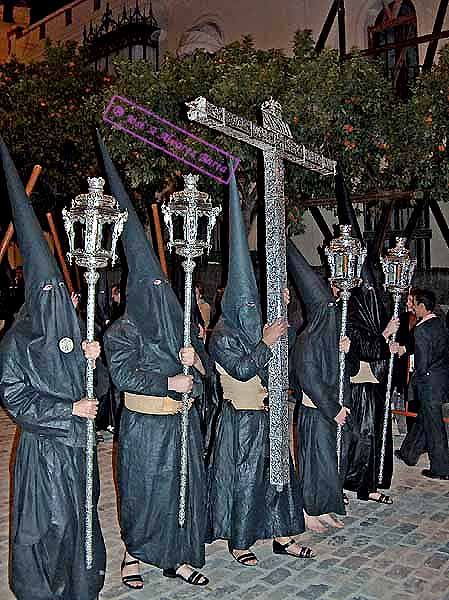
314,377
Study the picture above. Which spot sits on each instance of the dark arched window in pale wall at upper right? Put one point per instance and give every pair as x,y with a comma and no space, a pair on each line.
395,24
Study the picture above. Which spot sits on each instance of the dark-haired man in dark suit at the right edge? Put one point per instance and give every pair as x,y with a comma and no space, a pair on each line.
431,386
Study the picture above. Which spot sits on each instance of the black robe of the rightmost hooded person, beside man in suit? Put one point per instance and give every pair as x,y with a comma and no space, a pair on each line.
367,416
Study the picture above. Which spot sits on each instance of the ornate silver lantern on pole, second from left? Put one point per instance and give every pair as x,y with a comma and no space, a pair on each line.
193,209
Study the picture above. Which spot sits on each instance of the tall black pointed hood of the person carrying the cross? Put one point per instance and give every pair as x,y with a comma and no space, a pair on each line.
240,306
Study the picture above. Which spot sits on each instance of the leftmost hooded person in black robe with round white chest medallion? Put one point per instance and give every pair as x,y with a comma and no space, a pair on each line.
41,379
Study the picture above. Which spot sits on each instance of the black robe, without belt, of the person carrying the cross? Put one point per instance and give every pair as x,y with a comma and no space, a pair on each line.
242,504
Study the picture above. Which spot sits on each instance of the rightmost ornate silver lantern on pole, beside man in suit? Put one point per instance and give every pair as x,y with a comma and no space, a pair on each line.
398,268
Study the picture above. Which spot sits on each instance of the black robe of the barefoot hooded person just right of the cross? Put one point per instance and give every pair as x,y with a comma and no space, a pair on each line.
314,370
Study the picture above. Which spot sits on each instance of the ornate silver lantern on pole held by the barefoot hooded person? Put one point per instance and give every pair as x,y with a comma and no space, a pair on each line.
346,256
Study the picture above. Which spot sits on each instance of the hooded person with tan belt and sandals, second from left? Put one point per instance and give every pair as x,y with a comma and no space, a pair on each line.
143,353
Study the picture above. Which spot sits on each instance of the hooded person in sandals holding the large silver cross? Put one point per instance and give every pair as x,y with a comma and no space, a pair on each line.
242,504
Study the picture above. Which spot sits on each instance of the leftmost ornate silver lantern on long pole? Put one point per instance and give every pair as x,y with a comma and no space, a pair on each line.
85,225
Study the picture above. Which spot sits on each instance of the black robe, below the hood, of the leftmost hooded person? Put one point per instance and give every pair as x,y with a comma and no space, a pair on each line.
47,534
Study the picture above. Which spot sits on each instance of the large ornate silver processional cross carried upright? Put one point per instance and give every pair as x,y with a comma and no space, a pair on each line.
275,140
